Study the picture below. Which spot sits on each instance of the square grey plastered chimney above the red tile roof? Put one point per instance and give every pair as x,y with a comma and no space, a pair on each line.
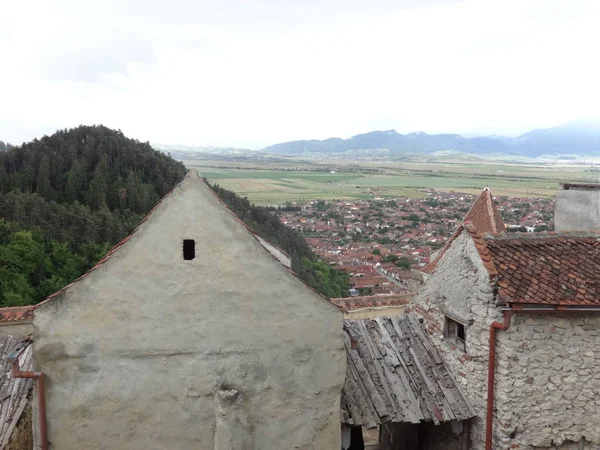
577,207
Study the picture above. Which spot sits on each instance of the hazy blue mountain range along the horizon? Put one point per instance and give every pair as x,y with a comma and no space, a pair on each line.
573,138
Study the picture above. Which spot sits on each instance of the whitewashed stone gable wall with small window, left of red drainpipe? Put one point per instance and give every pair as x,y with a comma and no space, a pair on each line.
460,287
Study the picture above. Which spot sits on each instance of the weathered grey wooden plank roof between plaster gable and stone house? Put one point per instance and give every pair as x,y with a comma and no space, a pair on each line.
394,374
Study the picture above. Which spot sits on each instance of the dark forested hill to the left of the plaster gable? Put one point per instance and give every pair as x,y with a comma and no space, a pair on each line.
66,199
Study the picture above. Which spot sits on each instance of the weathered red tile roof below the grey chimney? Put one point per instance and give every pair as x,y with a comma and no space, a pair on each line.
551,269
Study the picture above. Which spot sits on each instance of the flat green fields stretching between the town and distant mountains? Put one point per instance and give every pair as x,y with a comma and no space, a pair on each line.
269,184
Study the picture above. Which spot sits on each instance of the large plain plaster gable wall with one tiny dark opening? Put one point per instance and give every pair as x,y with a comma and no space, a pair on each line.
153,352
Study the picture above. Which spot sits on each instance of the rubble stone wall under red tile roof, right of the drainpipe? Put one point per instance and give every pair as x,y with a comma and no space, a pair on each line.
548,382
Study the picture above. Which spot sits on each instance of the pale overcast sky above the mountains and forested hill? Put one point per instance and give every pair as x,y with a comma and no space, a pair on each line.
255,72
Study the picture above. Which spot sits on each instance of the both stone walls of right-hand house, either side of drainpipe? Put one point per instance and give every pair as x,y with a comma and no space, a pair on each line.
548,366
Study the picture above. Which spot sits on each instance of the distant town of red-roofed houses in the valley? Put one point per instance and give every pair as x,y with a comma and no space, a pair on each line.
382,243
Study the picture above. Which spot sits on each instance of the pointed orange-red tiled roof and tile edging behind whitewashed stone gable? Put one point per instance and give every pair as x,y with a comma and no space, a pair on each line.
483,216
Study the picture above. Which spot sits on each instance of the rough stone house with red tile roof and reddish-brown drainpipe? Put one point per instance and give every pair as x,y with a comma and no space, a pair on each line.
516,319
